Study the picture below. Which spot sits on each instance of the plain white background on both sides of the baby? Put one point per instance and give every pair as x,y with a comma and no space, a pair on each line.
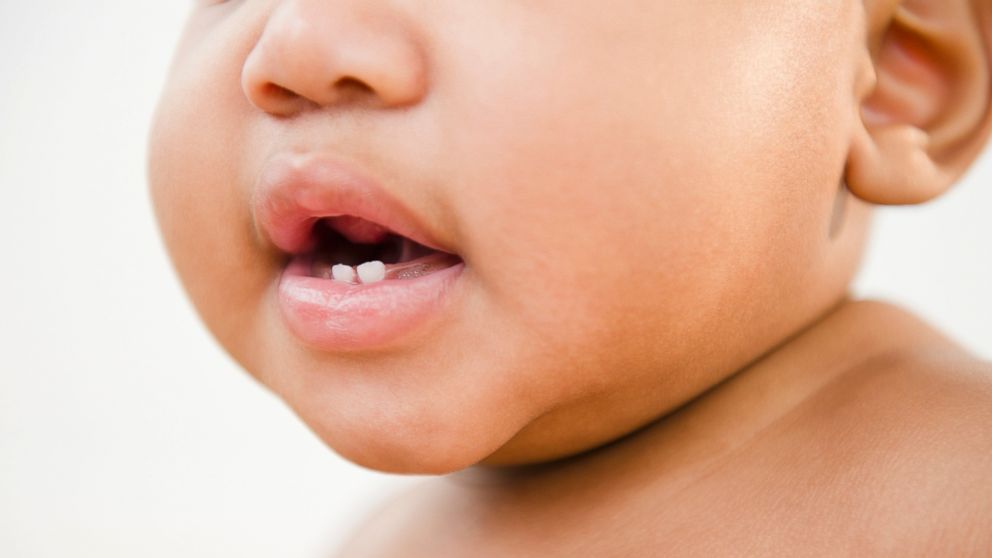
124,430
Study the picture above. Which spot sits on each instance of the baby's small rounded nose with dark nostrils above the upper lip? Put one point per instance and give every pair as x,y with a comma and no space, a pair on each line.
315,53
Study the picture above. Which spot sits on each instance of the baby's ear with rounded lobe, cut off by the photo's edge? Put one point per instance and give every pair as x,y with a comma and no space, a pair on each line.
924,97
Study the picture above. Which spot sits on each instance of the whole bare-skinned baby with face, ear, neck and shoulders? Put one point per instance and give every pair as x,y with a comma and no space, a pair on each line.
590,261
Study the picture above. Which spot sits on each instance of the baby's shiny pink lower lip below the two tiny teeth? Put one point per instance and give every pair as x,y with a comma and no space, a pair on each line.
334,316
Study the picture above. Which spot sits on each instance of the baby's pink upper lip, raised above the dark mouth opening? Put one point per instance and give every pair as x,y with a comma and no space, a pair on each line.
297,189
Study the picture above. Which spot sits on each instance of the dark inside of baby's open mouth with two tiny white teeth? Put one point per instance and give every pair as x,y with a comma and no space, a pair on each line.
355,251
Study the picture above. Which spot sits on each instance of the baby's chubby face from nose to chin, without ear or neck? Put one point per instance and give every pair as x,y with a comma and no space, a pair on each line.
636,195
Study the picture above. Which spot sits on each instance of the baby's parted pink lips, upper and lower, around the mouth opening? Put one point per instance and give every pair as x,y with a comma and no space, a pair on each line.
321,212
